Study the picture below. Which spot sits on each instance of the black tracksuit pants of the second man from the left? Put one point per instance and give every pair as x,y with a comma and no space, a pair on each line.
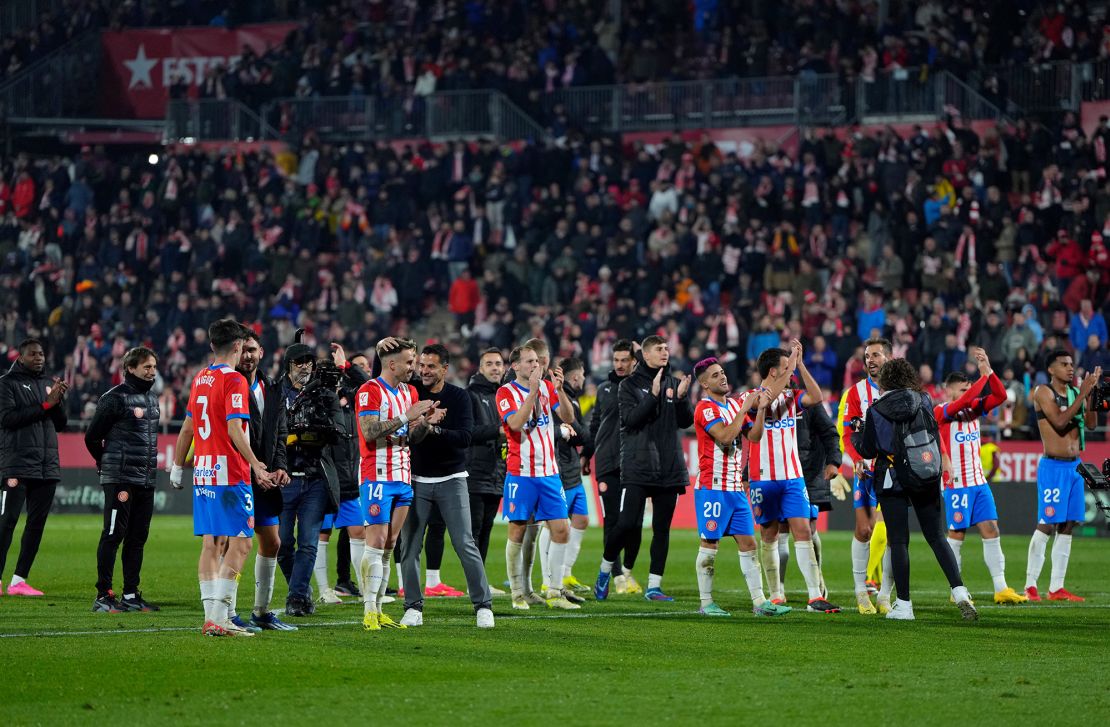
128,512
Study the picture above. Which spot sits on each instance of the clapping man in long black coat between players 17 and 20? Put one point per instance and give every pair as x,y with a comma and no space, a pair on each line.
653,407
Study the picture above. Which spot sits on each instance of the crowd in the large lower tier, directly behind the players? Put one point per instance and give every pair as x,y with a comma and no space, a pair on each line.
941,240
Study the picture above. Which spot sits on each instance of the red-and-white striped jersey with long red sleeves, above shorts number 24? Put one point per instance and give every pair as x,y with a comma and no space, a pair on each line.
960,430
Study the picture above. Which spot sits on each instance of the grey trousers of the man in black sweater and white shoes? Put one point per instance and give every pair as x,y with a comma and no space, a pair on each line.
453,500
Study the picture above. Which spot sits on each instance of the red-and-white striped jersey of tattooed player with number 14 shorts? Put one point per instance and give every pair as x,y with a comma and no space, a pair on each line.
387,459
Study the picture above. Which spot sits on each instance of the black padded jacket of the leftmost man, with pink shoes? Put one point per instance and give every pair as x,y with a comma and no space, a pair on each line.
28,432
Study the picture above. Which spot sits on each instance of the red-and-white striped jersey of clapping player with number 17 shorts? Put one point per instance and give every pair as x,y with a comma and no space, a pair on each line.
532,450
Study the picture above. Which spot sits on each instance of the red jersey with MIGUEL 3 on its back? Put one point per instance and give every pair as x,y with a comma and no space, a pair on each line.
219,395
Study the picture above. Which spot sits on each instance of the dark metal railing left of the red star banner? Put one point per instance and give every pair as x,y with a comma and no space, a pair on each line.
64,84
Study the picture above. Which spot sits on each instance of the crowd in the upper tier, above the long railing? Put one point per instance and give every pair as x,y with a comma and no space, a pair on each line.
405,49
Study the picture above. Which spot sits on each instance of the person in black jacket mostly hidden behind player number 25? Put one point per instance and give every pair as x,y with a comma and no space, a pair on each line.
820,451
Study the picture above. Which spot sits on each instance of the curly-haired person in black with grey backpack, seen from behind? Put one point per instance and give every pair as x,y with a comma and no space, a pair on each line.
904,415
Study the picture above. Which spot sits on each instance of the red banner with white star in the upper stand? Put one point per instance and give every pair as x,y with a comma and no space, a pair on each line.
139,66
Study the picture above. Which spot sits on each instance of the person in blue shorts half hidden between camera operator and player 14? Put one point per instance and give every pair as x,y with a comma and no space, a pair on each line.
349,519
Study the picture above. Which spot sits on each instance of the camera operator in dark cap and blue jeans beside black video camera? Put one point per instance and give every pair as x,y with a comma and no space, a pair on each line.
314,490
